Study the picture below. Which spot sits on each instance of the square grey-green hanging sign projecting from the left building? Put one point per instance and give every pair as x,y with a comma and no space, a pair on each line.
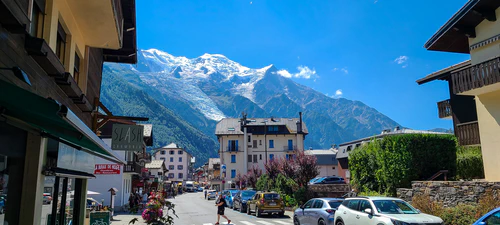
127,137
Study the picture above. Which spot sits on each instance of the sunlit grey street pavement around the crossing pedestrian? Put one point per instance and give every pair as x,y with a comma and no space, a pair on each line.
193,209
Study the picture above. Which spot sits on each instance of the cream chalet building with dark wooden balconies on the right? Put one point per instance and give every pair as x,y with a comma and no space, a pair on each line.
474,85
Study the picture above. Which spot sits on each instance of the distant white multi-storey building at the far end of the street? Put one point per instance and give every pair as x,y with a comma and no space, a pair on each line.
177,160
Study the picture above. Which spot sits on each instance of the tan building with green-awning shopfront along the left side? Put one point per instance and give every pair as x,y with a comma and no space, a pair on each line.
51,58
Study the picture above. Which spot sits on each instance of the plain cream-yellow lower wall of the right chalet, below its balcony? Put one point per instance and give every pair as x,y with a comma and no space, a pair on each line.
488,113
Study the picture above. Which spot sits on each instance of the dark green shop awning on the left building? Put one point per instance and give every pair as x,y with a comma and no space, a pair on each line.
52,119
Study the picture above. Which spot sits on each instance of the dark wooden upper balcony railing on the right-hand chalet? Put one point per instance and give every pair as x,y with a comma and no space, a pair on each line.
476,76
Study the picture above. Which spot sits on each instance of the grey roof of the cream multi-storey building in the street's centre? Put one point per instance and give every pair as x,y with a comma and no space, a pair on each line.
232,125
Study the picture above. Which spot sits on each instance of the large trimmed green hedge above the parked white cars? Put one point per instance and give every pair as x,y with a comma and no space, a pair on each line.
383,165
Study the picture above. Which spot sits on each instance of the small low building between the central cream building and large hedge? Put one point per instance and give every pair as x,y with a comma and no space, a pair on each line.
326,161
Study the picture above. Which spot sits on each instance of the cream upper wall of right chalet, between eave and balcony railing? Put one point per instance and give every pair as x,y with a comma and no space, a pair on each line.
484,31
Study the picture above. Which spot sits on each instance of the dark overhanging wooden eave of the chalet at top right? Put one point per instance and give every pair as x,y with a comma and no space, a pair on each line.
454,35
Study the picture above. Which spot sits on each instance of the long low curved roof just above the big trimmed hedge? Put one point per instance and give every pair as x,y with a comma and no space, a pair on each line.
345,148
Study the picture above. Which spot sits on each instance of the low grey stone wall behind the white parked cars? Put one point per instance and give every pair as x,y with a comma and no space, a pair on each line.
450,193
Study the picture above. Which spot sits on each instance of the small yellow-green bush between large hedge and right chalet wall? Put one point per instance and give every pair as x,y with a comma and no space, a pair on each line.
469,163
